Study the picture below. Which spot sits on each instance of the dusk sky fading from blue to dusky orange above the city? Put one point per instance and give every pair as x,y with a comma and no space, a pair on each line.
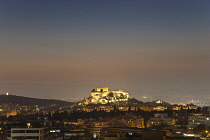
56,49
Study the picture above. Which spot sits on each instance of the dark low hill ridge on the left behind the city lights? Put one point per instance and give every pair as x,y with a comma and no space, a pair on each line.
13,99
